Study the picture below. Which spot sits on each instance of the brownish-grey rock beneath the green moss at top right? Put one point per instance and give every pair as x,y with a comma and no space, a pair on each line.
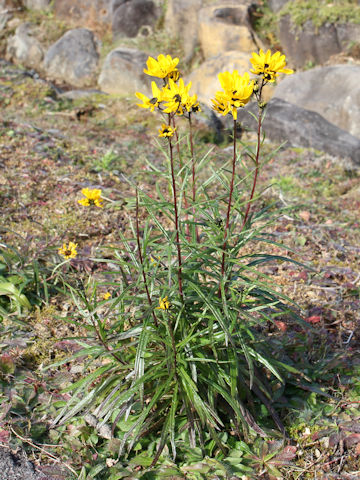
308,43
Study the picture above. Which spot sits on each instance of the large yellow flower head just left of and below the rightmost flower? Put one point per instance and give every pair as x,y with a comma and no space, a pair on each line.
237,92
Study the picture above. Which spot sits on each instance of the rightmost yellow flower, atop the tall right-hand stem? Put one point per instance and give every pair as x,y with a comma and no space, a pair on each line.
269,66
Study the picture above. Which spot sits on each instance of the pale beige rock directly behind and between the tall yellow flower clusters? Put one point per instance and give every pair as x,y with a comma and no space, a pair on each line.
204,79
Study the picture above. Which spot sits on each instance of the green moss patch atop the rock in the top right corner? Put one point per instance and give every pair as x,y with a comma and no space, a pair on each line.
322,11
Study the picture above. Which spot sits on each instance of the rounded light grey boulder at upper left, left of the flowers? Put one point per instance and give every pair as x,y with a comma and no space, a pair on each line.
73,58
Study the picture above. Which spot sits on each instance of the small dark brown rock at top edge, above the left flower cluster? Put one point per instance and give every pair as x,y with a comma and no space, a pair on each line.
129,17
